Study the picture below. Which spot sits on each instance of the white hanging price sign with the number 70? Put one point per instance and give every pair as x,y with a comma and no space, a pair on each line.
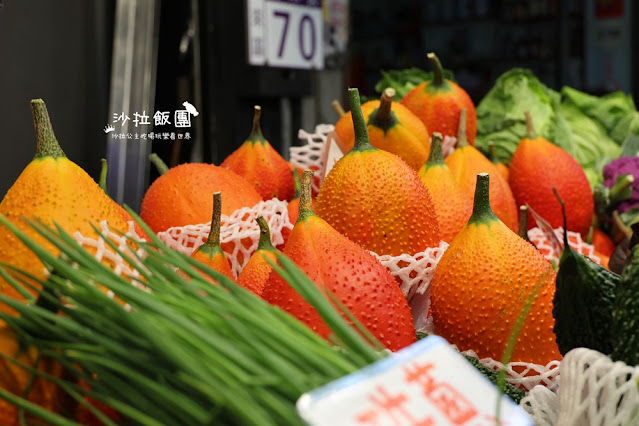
285,33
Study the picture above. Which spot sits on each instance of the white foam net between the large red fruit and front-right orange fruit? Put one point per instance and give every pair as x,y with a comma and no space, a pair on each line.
414,274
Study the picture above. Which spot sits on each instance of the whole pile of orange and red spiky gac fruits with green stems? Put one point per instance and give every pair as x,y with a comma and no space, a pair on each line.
392,193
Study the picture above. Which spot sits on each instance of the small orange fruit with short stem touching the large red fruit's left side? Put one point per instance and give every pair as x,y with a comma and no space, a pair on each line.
257,270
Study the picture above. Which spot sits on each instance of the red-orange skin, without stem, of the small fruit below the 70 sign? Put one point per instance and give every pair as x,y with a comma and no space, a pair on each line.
260,164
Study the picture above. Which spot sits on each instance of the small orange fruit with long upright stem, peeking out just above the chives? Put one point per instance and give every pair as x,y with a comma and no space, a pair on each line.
210,253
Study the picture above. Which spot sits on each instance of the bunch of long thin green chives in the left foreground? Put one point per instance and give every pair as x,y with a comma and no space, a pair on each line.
186,352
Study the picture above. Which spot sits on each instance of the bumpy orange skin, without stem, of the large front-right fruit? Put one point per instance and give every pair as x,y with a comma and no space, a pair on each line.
480,286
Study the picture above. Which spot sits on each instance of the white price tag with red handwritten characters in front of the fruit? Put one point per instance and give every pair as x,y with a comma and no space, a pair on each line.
427,383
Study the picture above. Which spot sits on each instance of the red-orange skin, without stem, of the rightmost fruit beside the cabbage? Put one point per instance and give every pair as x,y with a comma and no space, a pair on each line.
535,167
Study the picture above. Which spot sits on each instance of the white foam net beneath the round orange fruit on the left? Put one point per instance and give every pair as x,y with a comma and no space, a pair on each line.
239,232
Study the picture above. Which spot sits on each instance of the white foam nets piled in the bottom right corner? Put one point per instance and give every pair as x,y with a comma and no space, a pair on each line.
594,391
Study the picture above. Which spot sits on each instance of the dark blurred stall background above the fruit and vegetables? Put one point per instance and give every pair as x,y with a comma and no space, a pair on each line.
117,63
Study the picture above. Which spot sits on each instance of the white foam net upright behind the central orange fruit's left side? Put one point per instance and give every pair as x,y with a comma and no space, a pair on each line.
310,156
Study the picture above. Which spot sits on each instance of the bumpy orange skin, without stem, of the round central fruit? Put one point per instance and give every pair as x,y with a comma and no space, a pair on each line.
375,199
